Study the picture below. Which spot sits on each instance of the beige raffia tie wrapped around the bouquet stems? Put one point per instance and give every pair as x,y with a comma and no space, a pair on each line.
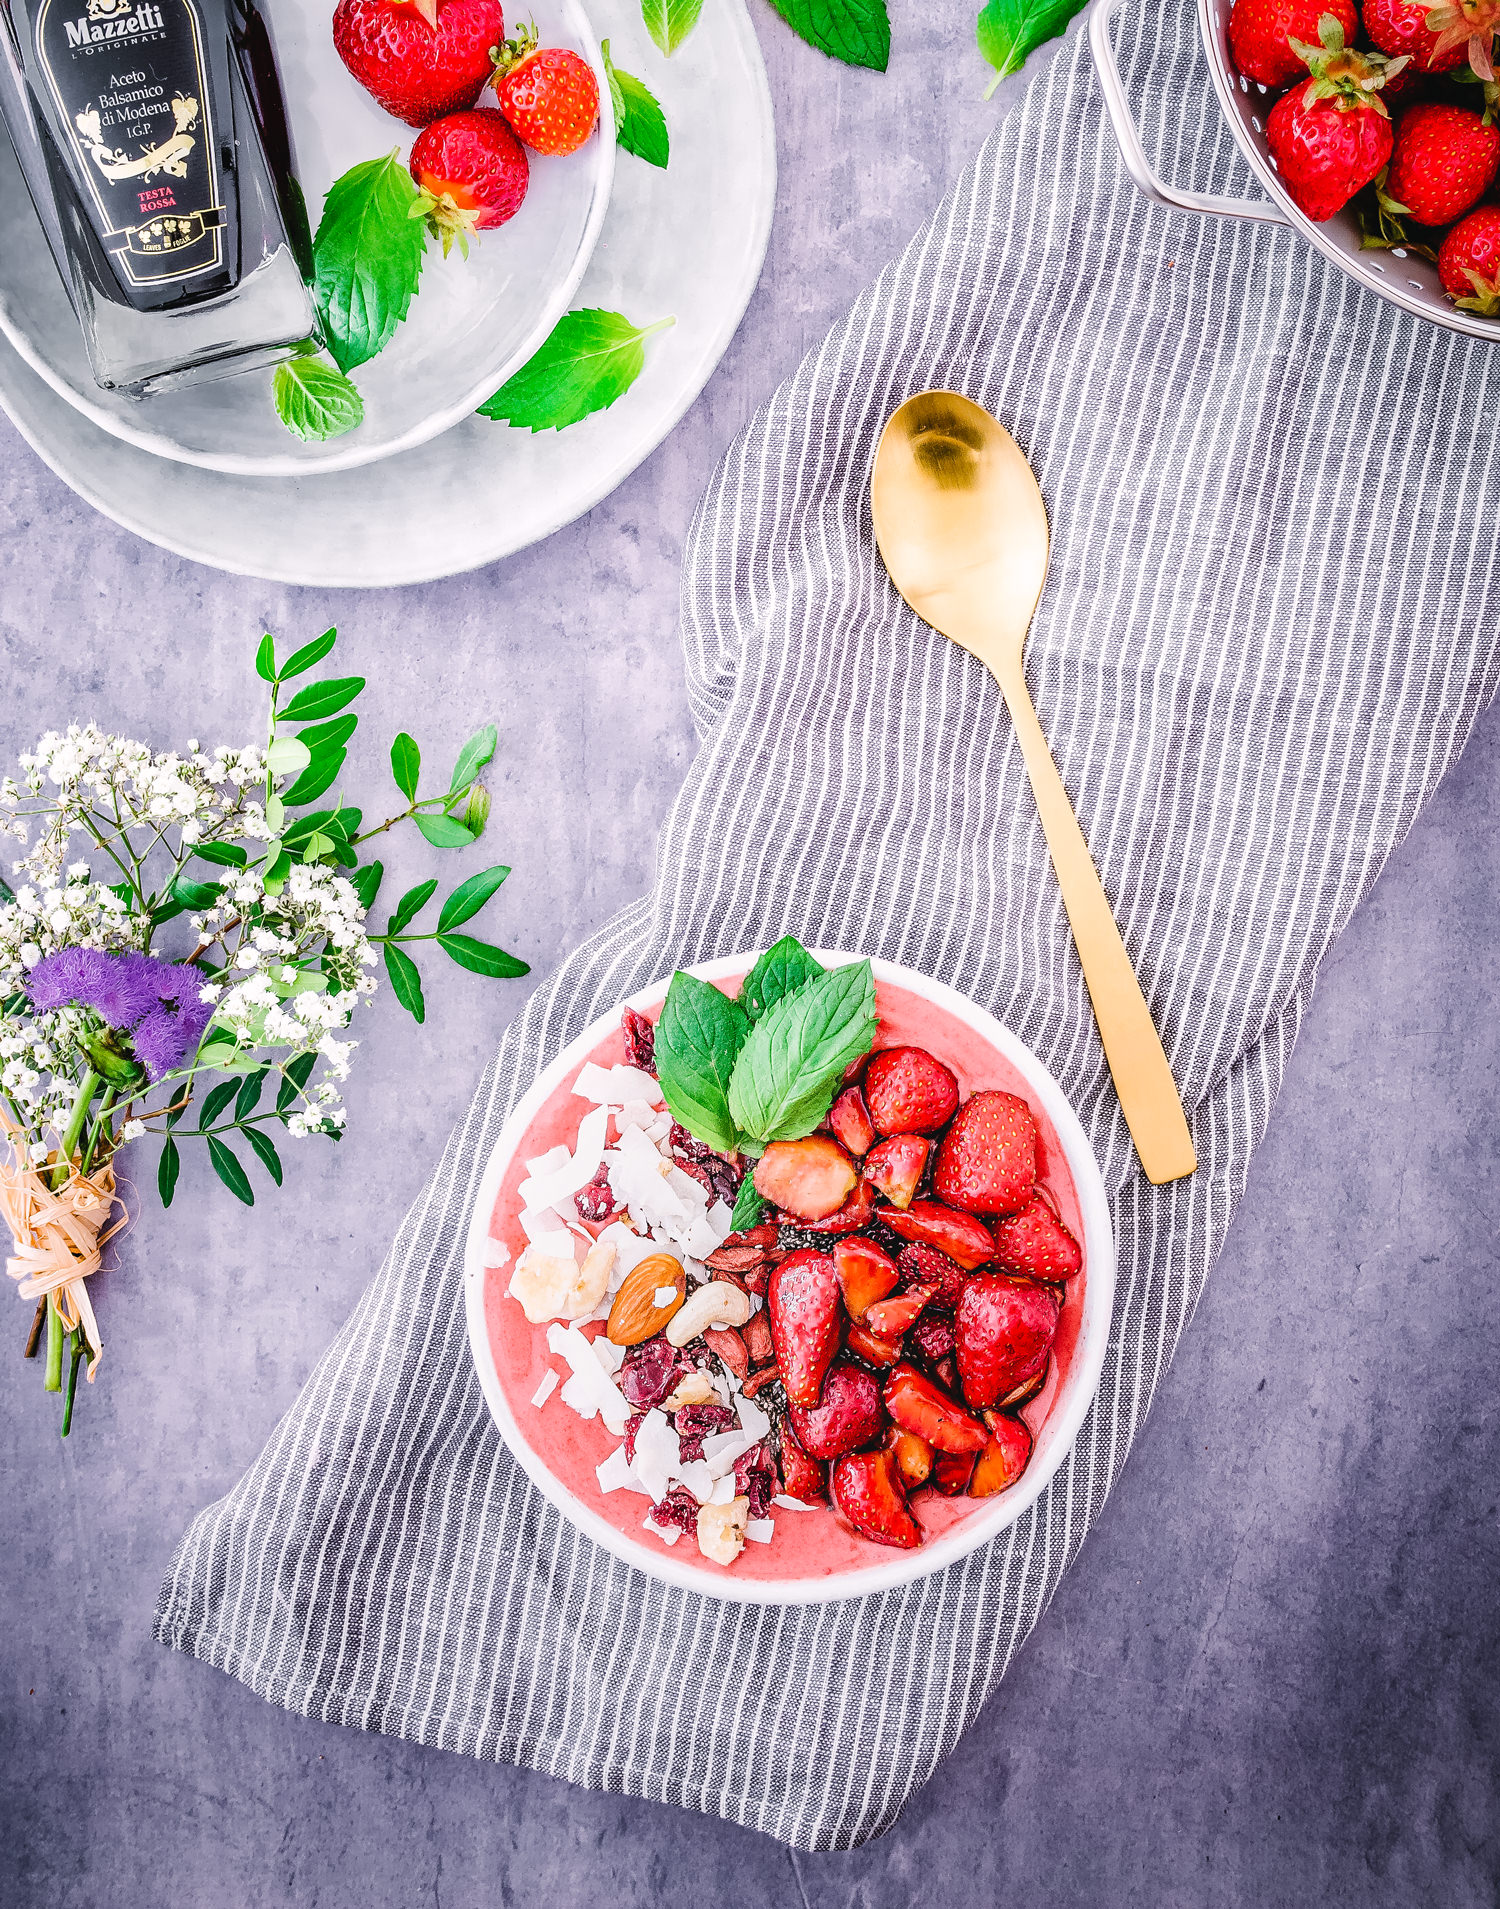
60,1238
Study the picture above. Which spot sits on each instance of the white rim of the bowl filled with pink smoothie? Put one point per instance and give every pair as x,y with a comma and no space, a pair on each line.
888,1568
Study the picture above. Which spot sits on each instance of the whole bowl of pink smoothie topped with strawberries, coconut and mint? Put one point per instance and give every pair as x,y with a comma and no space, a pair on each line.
791,1280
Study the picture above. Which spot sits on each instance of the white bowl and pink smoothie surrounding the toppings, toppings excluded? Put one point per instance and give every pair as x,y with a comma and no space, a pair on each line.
812,1555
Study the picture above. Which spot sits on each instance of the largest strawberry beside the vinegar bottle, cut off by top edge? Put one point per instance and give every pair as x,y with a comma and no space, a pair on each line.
419,58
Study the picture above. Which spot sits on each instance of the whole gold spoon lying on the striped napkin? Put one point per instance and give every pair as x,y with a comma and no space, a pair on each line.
965,535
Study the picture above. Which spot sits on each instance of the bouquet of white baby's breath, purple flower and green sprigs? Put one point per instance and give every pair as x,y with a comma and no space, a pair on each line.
188,934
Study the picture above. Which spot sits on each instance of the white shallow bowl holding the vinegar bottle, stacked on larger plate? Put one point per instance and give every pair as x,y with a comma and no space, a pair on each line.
470,325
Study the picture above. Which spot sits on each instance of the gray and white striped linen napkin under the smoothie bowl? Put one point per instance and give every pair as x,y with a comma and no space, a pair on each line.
1270,627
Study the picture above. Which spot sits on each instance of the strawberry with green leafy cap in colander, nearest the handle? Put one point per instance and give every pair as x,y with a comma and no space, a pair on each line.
1331,136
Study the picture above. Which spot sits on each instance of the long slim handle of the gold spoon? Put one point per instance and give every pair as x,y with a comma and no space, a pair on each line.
1135,1051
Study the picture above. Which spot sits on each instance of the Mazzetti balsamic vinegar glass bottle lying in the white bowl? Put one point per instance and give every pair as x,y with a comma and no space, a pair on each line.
142,150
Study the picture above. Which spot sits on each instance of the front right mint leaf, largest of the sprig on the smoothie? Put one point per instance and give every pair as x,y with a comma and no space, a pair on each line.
797,1053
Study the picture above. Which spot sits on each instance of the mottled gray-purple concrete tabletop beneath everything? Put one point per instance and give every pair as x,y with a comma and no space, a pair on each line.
1272,1675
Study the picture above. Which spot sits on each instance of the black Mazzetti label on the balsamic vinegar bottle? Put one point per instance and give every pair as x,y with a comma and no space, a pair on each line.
131,87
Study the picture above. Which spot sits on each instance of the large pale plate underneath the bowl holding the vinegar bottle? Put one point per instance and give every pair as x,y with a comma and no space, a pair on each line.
686,243
